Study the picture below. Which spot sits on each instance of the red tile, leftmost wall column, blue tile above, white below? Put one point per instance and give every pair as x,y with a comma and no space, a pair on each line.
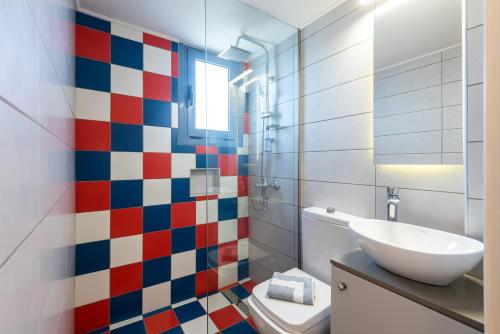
92,196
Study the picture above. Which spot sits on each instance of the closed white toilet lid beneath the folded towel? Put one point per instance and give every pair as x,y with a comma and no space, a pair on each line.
293,317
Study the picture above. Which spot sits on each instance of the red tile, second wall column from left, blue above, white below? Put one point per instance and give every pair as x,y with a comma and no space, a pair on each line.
126,222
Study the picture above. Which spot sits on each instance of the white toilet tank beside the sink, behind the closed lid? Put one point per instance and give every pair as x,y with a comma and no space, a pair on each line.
324,235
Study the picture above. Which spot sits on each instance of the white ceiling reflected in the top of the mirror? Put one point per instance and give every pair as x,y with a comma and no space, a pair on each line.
406,29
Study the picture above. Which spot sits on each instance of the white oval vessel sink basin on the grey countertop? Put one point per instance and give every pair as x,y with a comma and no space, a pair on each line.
422,254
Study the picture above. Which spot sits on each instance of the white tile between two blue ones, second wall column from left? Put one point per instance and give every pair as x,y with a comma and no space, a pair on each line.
126,166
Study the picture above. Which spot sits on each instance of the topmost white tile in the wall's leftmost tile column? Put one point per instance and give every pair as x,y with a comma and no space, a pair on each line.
93,105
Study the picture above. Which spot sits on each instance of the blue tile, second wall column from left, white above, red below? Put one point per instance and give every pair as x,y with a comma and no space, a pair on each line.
126,194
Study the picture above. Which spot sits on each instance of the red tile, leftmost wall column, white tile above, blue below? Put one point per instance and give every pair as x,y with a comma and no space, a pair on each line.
92,135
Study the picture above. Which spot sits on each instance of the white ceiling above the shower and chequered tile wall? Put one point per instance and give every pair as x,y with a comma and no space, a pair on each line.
225,19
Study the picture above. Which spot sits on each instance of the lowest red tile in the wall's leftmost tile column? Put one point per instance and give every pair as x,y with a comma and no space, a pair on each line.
91,316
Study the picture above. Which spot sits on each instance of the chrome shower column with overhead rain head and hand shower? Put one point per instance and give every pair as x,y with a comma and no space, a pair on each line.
261,182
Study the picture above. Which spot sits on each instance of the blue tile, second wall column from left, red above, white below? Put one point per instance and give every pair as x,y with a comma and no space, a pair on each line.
126,137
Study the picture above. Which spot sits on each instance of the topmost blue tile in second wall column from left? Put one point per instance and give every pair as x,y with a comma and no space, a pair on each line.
126,52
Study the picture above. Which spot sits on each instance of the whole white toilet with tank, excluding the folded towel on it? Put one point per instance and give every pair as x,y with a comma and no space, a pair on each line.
324,235
